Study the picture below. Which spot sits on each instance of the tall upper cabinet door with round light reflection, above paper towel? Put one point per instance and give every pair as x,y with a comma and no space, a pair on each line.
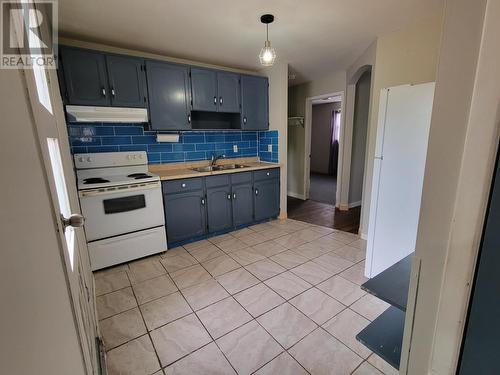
169,107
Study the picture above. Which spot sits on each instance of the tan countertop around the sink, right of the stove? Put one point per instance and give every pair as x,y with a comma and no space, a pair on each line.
185,170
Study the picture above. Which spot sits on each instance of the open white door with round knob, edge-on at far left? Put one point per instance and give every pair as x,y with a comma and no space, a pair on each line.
50,124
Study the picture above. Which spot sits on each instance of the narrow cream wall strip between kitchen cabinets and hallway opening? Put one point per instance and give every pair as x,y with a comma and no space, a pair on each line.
278,120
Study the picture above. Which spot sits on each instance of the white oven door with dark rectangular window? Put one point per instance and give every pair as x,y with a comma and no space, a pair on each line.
119,210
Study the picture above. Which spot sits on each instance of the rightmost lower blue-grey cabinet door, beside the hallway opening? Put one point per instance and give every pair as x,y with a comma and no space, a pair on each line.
266,199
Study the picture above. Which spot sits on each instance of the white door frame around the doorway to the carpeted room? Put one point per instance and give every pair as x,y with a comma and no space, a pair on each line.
307,143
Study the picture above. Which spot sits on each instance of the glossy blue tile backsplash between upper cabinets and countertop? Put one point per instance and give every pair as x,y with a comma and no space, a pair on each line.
192,146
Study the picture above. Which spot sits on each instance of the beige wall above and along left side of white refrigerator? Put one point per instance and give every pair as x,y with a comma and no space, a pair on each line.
402,57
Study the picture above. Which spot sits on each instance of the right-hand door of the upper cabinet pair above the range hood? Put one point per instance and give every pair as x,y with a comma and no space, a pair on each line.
127,81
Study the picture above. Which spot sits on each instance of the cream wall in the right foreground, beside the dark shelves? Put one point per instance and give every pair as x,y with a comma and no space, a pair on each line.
460,159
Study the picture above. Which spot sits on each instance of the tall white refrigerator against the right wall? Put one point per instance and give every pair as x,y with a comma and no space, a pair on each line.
398,173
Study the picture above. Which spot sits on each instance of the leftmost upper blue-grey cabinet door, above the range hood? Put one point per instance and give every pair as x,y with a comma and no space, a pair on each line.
85,77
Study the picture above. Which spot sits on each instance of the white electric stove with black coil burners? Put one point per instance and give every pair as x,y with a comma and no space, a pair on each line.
123,207
